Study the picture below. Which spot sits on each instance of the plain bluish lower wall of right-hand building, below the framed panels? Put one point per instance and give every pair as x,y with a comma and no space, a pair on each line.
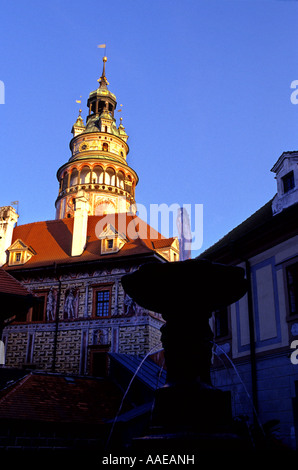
277,382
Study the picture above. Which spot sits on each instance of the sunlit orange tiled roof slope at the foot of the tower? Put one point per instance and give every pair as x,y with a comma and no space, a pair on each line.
52,240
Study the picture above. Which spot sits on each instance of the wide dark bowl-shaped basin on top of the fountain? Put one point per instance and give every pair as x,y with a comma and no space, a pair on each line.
196,286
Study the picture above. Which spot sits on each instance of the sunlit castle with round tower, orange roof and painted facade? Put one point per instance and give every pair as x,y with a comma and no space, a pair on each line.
73,265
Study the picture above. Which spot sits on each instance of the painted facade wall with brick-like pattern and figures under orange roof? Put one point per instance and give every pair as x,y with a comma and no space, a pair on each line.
128,330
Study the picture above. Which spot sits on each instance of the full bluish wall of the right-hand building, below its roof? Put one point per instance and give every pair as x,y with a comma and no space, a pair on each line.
274,331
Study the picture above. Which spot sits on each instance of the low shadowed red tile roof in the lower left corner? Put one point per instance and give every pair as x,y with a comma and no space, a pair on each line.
51,398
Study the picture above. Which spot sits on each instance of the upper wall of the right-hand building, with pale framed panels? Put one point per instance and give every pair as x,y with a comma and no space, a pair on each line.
272,325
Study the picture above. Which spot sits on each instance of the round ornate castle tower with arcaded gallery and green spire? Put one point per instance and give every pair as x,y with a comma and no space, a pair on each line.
97,164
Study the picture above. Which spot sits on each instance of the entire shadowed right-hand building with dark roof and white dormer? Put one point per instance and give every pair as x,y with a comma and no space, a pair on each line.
259,333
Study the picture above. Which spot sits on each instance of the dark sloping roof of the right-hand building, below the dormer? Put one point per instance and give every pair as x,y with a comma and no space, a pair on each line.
259,232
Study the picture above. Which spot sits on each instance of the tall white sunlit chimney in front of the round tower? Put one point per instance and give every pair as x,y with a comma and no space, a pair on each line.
79,235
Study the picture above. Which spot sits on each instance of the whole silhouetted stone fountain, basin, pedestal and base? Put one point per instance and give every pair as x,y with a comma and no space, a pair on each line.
188,410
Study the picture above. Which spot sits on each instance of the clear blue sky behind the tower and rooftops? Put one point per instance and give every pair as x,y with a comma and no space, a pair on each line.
205,88
